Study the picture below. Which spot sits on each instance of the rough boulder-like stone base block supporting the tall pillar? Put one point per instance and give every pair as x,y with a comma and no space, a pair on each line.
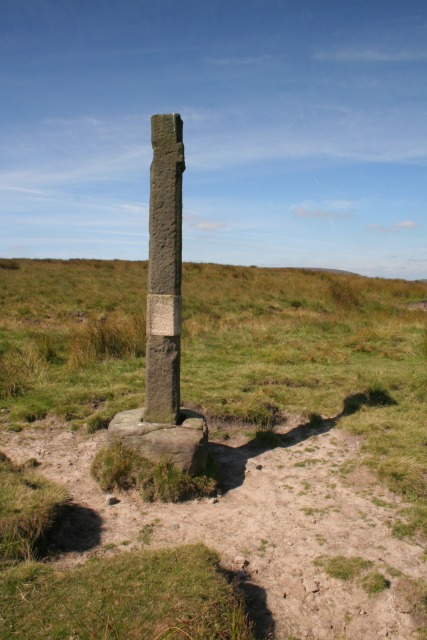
185,445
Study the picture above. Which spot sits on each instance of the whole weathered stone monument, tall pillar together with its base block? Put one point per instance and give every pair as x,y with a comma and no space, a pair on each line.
163,430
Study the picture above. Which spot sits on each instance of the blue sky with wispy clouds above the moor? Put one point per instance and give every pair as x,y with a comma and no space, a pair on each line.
305,129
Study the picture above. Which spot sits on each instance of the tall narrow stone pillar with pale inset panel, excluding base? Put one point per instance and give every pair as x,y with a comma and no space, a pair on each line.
162,398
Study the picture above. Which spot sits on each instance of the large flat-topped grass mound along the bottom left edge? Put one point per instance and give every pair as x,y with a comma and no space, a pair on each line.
174,594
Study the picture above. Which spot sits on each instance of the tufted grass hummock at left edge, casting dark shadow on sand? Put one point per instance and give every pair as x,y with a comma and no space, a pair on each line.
29,505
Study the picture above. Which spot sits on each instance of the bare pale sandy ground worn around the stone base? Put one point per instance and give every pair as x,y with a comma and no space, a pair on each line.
279,510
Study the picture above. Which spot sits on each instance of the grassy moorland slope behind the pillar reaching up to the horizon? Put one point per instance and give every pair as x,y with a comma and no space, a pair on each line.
256,342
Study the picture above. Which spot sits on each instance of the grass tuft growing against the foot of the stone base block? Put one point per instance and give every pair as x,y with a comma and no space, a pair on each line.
118,467
